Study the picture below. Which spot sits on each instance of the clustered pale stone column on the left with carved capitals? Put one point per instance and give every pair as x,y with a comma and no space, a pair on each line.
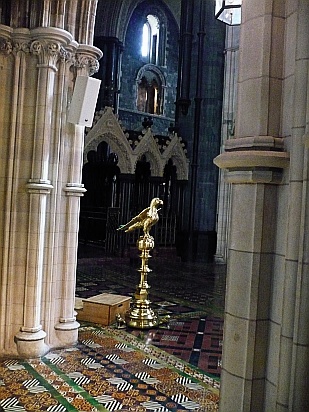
42,188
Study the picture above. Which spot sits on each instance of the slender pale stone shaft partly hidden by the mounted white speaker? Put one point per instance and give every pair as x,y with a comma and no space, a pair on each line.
86,64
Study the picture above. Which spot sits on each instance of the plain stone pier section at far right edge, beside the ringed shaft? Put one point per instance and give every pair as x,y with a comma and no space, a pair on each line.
291,338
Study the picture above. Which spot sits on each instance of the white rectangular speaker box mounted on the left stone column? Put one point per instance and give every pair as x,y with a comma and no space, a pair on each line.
84,101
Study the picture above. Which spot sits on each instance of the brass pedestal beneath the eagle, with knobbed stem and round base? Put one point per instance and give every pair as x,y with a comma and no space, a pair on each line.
141,315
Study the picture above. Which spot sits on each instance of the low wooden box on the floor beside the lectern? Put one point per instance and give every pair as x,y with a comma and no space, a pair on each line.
103,308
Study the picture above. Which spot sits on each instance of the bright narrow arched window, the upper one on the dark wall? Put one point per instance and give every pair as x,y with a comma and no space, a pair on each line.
150,40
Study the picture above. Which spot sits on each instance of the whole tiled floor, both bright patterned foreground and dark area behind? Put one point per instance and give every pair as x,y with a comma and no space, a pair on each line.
174,367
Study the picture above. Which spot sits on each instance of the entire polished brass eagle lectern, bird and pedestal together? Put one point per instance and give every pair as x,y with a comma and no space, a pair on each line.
141,315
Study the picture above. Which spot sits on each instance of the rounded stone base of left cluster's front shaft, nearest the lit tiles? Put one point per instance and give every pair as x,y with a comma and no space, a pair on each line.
31,344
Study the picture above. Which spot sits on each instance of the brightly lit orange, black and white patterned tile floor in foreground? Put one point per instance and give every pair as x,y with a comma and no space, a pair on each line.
109,370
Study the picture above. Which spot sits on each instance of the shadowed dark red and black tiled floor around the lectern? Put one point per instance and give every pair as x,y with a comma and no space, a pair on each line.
191,294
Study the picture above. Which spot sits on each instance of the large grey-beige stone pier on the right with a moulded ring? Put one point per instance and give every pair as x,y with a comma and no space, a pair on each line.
266,341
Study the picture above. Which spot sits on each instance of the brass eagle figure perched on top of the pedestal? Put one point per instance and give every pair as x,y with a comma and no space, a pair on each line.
145,219
